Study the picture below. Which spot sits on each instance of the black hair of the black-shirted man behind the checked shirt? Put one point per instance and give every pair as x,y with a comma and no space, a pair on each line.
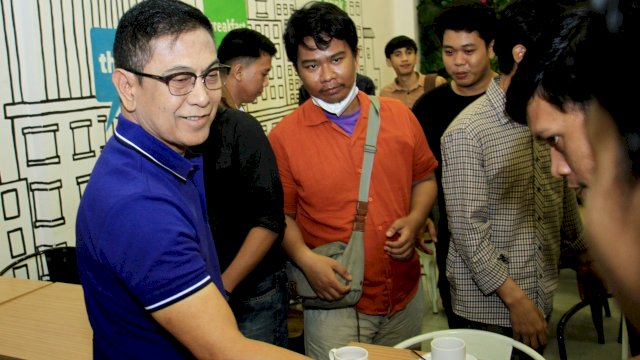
468,16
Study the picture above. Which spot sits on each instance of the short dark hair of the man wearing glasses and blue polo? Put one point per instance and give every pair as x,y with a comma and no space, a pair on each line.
148,20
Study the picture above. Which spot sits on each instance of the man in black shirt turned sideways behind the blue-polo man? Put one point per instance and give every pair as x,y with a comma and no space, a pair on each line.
244,194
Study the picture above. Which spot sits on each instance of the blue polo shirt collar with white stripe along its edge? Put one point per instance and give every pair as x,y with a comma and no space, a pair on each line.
135,137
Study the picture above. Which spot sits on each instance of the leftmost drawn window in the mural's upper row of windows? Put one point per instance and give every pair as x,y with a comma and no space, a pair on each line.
41,145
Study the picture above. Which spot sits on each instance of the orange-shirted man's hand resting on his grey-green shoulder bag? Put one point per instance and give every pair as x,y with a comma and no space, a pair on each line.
321,272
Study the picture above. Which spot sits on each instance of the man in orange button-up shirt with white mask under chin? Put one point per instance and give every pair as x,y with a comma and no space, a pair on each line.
319,149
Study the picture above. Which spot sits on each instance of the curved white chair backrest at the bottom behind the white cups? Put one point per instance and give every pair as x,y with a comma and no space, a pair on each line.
479,343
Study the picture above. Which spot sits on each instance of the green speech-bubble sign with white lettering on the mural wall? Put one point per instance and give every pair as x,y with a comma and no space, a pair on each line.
225,15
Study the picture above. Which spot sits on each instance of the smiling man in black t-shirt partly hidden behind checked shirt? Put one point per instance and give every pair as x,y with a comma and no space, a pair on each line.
466,31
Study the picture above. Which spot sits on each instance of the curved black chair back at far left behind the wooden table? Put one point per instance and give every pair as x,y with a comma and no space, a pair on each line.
60,263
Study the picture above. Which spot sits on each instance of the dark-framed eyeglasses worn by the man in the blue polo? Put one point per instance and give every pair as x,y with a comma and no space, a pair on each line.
182,83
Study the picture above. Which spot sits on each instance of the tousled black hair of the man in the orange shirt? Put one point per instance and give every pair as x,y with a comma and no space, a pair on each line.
323,22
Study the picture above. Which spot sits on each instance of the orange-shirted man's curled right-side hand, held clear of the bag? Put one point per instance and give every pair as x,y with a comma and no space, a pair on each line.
403,235
